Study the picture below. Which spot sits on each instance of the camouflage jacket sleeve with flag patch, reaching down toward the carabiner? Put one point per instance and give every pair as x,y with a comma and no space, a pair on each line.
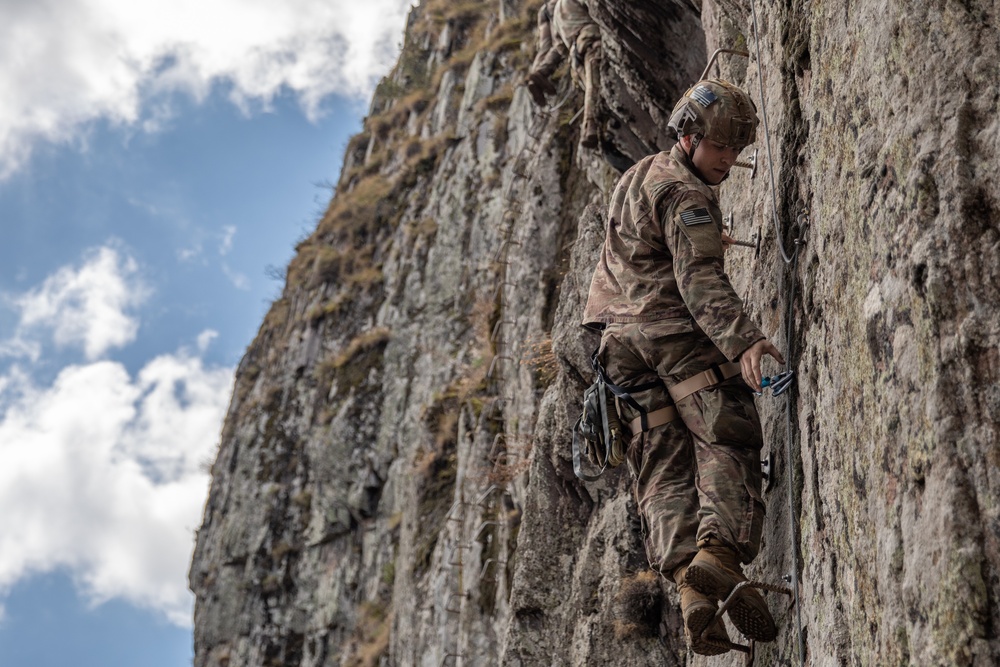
693,232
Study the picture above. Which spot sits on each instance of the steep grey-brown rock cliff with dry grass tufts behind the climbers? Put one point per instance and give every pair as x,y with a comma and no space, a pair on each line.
394,484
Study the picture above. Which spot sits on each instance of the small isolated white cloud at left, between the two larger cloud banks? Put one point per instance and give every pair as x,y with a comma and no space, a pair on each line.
85,306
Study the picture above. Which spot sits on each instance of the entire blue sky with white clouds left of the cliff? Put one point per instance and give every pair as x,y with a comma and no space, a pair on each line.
158,160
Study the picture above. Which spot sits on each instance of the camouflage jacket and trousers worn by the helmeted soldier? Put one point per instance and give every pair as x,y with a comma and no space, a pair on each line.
668,311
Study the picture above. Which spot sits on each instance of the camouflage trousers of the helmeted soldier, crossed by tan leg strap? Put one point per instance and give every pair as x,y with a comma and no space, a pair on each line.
697,477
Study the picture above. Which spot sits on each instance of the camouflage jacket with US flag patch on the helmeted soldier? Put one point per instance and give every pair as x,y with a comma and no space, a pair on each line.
662,257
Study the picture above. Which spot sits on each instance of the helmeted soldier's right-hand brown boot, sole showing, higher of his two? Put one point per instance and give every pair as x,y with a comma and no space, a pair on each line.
715,572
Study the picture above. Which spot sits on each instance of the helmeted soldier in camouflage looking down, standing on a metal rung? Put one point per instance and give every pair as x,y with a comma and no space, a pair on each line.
674,329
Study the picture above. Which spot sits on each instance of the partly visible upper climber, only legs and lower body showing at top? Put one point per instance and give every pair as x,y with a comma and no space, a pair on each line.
576,34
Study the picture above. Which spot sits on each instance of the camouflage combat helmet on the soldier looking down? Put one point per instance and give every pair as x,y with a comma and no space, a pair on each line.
716,110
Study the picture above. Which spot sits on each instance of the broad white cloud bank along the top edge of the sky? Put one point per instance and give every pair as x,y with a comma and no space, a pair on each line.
64,63
